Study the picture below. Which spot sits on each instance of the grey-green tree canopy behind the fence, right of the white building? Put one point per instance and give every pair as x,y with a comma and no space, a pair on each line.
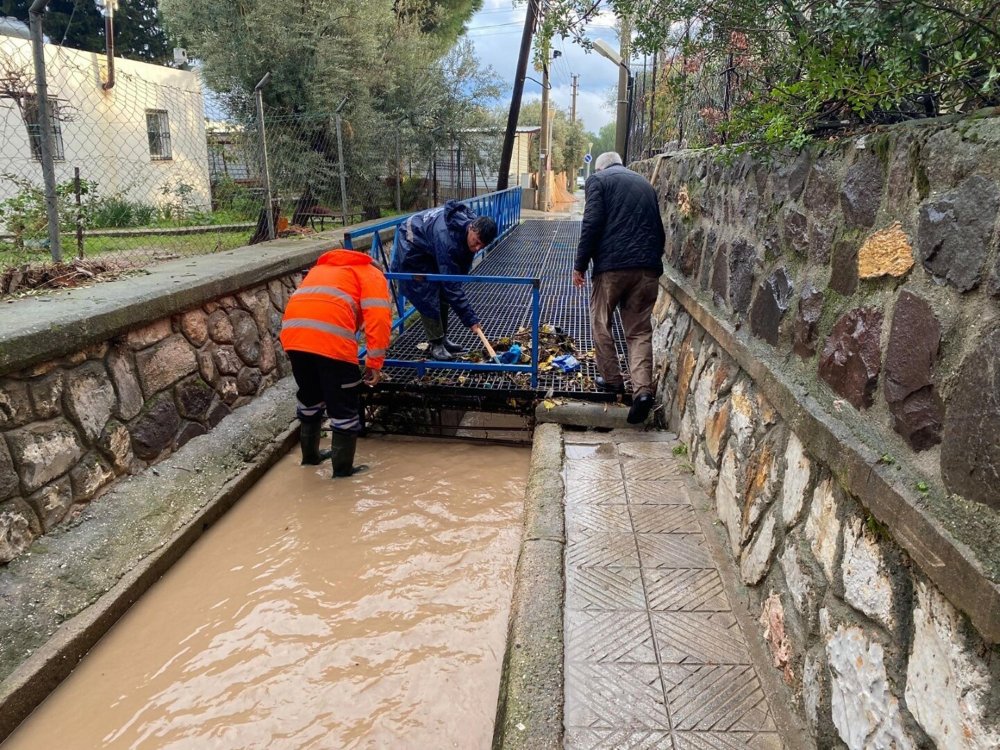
384,68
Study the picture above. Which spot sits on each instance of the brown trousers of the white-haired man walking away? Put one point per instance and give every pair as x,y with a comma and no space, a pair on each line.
633,292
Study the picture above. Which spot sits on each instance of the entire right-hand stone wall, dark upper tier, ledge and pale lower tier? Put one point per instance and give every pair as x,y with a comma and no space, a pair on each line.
827,345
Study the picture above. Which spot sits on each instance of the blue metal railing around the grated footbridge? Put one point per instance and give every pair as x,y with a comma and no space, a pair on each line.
504,207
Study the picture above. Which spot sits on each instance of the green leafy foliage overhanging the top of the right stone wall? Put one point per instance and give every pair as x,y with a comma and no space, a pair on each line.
781,71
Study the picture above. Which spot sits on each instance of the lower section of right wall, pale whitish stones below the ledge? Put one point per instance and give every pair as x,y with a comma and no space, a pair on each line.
875,654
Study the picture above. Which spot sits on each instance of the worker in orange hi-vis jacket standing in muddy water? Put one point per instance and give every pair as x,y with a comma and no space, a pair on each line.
344,293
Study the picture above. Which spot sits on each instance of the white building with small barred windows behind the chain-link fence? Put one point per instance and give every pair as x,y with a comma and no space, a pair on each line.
141,140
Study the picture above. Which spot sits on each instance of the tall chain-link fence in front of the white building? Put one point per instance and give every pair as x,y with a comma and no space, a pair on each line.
141,176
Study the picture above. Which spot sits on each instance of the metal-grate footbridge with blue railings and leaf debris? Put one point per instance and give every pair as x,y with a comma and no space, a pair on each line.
521,288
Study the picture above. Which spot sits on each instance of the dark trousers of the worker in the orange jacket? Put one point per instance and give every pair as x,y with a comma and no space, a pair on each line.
327,385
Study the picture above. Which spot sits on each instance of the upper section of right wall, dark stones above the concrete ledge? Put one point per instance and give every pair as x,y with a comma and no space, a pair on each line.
871,267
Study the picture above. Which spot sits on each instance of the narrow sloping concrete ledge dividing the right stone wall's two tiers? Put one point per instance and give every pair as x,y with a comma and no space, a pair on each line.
949,562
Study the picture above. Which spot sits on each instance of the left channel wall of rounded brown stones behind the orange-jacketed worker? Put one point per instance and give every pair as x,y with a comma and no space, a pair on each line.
71,426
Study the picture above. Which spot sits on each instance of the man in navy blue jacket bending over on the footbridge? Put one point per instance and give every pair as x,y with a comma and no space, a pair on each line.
441,240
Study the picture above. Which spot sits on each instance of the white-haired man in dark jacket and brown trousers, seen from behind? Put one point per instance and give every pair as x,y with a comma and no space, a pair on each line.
622,235
